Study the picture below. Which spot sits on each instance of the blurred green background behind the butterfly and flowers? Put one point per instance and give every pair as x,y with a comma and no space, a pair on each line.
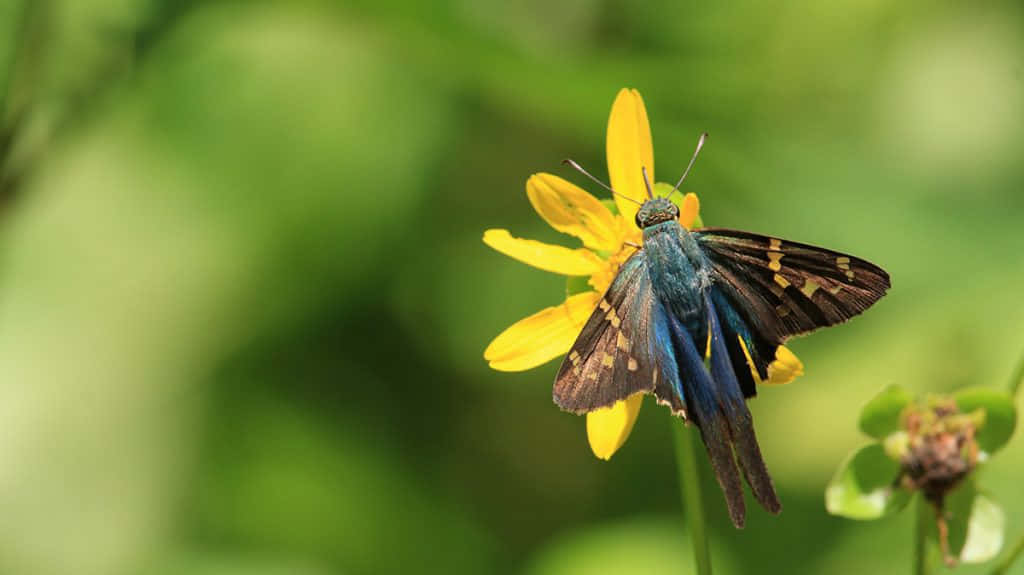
244,298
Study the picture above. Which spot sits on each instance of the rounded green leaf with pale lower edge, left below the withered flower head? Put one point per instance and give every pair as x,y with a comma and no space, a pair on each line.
865,488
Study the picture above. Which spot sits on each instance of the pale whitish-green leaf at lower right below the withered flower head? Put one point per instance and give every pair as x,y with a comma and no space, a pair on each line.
975,524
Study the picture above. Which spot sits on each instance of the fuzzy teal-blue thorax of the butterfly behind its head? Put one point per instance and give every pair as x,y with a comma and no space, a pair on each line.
679,273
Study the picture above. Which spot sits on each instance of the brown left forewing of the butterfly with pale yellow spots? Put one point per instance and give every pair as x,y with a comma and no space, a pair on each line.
611,360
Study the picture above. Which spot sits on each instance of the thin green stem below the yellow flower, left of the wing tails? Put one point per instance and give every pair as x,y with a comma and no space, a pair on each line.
688,446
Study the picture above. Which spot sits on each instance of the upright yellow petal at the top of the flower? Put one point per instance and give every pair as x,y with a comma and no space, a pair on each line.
629,148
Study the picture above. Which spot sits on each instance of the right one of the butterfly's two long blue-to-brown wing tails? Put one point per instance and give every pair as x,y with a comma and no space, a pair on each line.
738,417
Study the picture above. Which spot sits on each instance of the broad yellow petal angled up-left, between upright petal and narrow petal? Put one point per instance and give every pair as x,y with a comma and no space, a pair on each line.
571,210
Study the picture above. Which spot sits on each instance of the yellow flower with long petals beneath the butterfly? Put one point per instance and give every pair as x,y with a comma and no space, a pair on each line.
609,239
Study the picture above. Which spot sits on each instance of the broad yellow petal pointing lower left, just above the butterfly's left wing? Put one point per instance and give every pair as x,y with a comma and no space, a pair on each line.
542,337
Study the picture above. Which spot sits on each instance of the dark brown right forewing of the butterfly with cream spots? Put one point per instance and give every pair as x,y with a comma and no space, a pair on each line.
785,289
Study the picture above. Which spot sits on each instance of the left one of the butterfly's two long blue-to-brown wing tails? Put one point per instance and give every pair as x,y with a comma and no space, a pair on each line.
685,371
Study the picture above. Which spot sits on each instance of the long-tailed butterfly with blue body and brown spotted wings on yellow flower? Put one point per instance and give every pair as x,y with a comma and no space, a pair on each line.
693,317
